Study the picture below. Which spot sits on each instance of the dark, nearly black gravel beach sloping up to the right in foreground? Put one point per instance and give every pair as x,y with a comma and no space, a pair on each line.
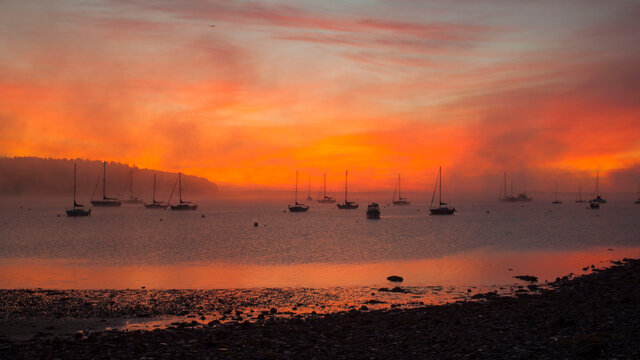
591,316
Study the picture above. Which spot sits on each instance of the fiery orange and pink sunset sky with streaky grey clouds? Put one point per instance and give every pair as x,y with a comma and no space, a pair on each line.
247,92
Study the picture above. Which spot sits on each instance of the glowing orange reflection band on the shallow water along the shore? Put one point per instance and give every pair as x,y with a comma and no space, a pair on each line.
476,268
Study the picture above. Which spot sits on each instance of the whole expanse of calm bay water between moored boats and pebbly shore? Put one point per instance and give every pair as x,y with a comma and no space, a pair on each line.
219,247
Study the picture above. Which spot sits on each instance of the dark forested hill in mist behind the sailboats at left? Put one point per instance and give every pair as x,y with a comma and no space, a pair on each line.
39,176
